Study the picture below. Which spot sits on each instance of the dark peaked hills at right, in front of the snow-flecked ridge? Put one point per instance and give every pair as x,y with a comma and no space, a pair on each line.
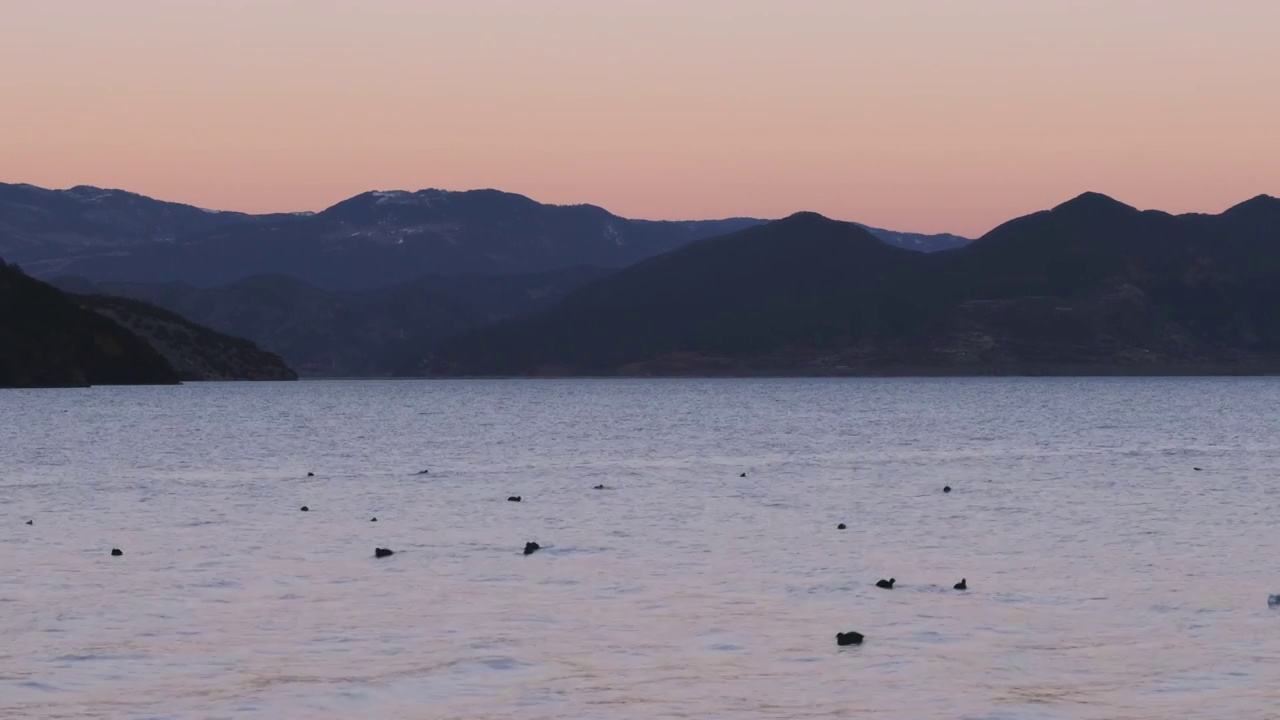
1092,286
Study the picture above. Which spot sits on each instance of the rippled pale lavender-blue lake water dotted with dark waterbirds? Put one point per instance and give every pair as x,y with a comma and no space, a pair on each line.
1109,580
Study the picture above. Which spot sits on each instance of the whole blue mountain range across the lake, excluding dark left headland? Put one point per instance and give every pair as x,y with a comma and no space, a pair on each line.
492,284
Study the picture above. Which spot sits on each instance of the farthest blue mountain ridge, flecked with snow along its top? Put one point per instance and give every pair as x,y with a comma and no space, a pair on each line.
373,240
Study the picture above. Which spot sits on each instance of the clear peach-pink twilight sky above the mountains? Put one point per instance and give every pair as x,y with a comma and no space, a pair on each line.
929,116
